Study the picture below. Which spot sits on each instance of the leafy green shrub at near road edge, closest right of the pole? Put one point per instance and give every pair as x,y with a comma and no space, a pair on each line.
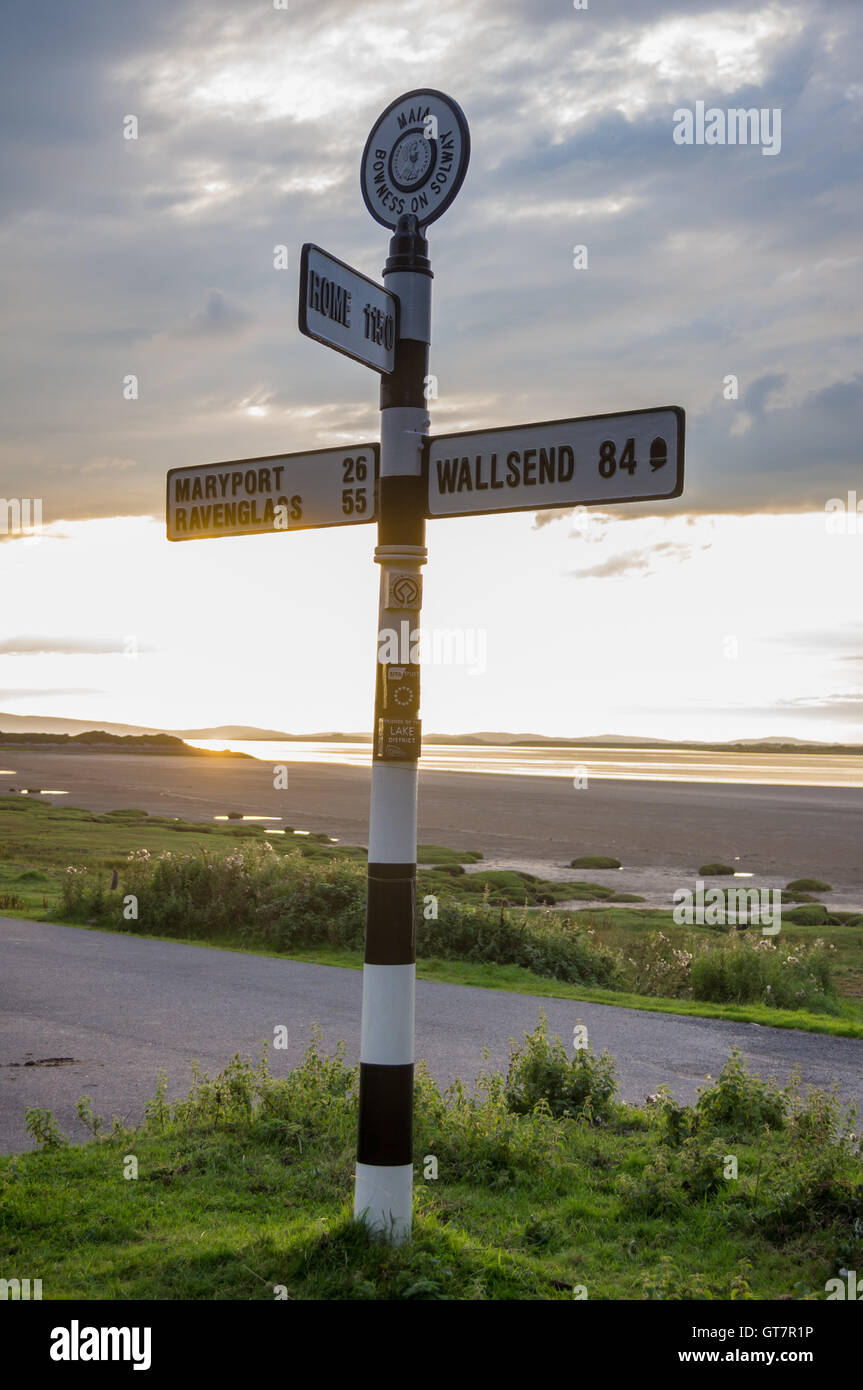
543,1074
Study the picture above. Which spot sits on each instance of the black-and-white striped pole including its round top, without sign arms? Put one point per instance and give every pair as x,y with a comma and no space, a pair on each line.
413,166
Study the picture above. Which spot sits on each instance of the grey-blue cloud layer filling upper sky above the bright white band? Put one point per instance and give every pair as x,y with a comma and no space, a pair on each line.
702,262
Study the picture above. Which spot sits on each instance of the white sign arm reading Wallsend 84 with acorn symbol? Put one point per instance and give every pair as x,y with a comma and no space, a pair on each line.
629,457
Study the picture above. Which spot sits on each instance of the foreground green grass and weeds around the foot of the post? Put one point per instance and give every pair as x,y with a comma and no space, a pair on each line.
244,1193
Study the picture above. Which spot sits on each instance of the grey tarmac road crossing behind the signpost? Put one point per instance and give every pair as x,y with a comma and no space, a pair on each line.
88,1013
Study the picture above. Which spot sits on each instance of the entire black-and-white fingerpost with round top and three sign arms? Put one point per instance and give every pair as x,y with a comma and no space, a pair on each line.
413,166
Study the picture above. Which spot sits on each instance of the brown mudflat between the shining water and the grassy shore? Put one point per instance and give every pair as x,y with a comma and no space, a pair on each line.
772,831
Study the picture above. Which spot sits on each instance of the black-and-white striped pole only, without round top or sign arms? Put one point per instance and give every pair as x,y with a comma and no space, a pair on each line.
387,1052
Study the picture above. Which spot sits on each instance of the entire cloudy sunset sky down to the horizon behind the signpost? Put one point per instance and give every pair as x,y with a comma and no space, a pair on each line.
721,279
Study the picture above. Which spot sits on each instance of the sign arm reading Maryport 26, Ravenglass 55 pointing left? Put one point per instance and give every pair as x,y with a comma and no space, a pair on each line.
279,493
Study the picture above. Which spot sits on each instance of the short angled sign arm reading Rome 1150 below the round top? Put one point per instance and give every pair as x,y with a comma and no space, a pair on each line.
347,311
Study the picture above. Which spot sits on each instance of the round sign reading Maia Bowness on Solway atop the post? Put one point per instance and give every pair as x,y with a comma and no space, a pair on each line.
416,158
